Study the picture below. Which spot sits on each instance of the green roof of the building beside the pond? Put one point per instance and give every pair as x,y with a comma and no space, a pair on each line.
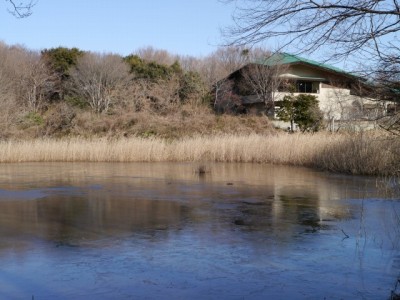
286,58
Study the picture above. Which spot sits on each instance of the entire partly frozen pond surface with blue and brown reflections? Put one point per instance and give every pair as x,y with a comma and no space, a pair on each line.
161,231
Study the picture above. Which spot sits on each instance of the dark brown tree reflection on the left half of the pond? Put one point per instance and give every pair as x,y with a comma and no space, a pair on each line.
71,220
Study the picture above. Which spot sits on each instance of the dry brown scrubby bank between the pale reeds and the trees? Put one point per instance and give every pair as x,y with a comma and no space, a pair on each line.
62,121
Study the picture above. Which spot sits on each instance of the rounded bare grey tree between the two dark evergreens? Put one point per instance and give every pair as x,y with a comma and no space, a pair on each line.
99,79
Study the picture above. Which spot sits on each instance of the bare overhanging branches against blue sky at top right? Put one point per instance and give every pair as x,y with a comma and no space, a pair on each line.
350,26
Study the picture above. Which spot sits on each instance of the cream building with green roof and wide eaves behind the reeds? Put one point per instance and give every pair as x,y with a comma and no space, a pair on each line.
259,87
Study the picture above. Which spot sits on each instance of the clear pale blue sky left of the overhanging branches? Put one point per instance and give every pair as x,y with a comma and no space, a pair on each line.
186,27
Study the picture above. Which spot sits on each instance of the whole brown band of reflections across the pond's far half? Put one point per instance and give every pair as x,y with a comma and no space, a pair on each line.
117,200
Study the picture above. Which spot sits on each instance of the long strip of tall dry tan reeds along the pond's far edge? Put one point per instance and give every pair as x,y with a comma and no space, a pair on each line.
368,154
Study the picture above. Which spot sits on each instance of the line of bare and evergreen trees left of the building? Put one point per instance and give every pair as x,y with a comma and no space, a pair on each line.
32,83
